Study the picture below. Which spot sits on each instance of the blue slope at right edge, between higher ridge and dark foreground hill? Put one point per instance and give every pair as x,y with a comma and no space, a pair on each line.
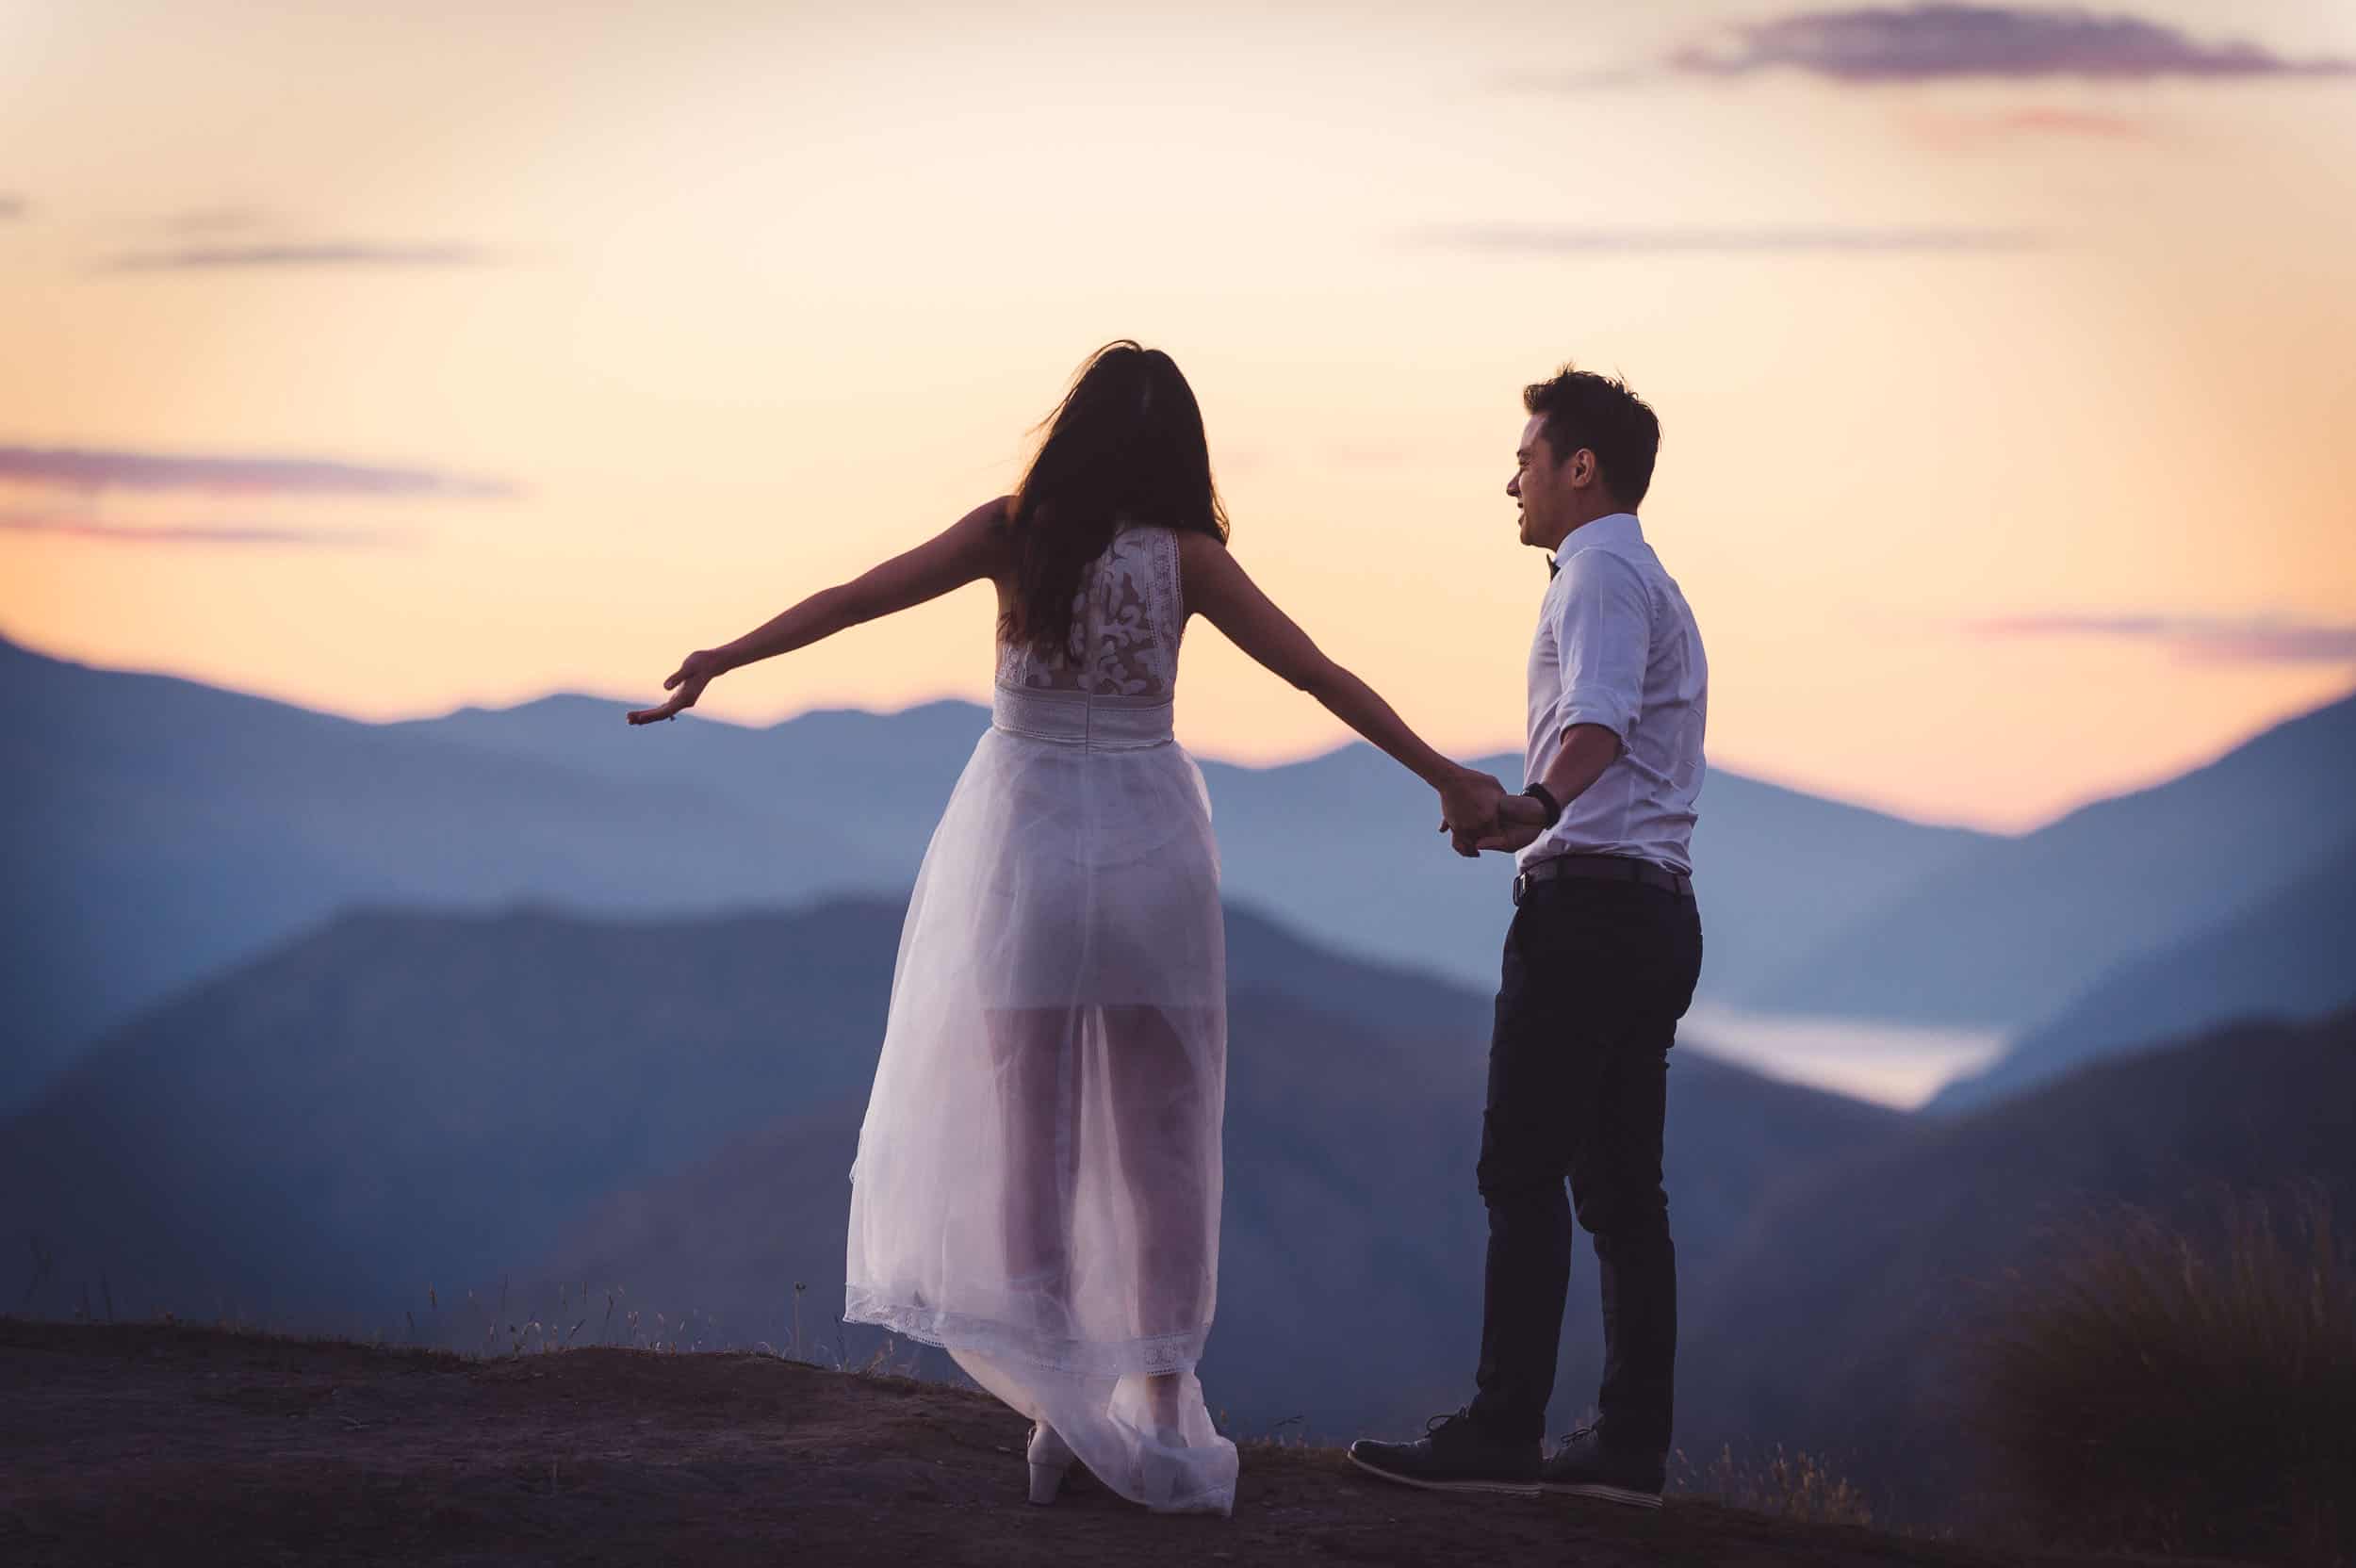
2289,957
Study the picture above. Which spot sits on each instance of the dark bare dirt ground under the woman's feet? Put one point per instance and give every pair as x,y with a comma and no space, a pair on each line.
176,1444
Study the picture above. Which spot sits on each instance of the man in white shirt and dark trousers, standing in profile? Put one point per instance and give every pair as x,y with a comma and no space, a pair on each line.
1601,964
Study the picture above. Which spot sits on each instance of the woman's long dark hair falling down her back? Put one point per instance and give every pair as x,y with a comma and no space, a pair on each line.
1123,449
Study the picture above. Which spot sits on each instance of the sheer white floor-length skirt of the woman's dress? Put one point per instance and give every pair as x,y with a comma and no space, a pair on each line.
1040,1171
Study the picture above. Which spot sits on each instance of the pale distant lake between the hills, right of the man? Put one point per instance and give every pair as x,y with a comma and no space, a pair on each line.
1898,1065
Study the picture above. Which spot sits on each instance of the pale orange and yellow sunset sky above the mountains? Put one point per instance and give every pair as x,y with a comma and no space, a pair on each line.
390,359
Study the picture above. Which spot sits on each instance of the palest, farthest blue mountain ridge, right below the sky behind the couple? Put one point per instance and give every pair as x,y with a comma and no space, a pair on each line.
1339,844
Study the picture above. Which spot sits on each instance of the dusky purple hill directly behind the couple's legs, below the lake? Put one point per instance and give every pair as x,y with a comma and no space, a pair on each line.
1354,1237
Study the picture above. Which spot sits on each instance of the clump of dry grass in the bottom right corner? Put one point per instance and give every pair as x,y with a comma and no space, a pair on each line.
2185,1390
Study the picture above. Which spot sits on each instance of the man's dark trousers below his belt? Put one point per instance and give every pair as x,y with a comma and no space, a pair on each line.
1594,985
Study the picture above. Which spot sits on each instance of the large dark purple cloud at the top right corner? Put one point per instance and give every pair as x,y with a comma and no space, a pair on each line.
1990,41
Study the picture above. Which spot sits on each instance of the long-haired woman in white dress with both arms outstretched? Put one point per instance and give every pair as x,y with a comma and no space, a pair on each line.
1040,1171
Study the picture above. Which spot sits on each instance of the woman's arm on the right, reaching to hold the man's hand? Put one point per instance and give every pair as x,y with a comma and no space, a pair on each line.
1231,602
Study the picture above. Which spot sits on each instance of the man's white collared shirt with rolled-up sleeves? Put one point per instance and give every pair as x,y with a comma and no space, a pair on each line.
1620,649
